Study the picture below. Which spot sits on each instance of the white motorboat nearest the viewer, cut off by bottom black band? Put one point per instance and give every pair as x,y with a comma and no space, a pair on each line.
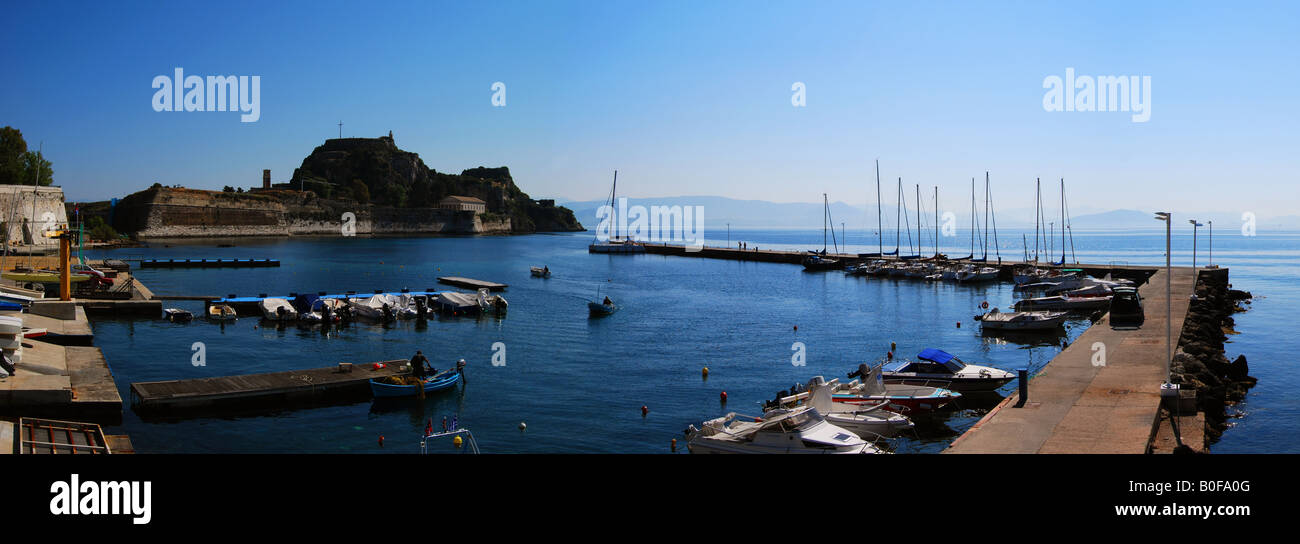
801,430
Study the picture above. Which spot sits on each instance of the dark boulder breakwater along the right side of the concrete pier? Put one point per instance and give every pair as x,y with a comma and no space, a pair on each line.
1201,362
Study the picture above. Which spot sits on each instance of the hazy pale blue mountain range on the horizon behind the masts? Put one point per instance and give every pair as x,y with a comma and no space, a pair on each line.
721,211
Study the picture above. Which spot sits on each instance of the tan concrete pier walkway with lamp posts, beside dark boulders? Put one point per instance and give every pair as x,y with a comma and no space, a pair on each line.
1076,405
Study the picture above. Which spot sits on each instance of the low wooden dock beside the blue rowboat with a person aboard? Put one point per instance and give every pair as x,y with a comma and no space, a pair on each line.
253,391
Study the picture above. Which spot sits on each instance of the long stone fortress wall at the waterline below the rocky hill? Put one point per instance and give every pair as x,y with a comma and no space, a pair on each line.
172,213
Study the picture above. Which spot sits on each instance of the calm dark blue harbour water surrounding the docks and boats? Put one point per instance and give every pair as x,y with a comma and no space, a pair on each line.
580,383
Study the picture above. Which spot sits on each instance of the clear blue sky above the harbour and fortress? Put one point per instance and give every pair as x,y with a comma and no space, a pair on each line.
682,98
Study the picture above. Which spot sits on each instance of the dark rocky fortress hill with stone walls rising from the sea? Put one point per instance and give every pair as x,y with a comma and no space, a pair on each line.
345,187
